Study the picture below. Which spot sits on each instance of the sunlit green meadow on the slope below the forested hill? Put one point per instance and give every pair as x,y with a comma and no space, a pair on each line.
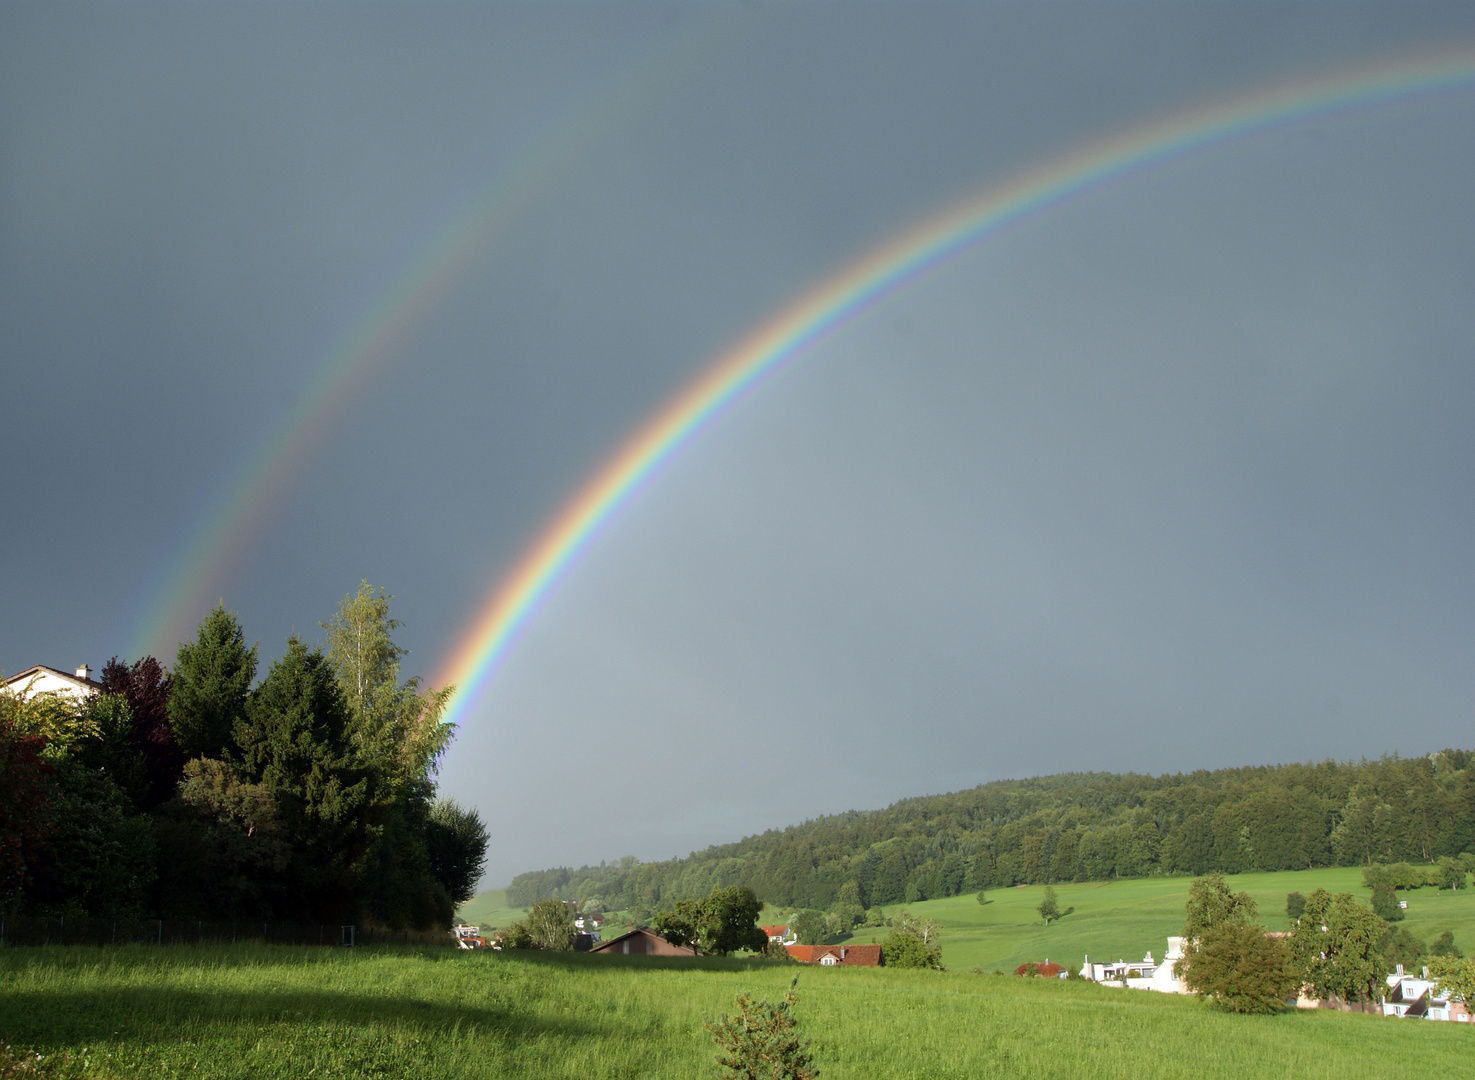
1123,920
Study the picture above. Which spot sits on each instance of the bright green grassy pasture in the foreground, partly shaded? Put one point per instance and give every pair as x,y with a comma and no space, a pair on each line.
266,1011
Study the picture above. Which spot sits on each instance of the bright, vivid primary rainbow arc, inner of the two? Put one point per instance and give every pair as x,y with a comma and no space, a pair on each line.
880,275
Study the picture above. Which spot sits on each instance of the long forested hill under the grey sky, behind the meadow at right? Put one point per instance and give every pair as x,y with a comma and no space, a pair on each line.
1073,827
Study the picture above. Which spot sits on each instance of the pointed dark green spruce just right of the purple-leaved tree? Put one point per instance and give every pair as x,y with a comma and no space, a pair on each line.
210,685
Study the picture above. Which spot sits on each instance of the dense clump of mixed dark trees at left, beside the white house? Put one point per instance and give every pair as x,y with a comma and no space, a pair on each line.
200,793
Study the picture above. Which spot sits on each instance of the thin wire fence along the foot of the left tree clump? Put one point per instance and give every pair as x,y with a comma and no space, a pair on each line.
41,932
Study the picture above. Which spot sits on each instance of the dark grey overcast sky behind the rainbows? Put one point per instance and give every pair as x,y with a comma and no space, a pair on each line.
1179,476
